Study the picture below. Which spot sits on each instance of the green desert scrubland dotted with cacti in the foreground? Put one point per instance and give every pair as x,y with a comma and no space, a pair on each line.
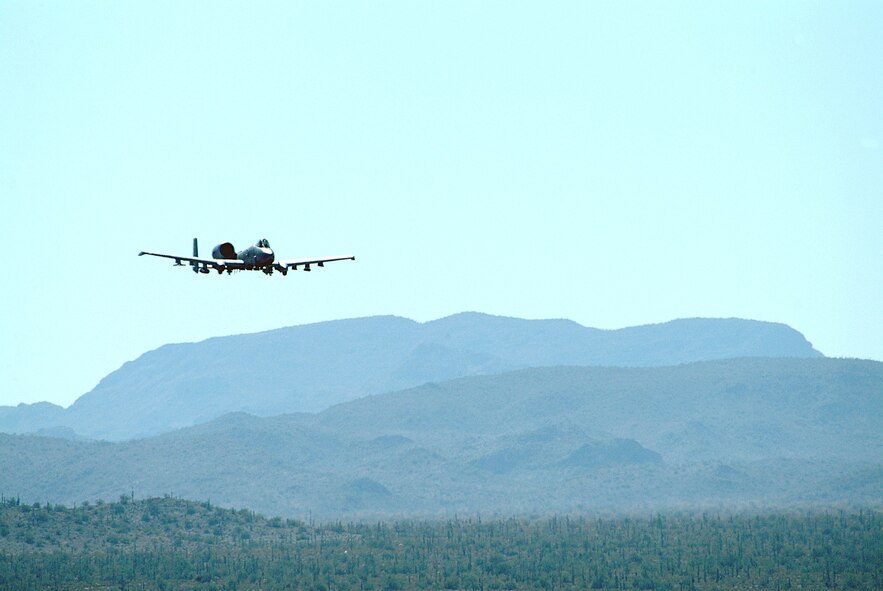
159,544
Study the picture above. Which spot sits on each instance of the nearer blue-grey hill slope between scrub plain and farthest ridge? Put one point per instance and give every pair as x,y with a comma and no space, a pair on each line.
725,433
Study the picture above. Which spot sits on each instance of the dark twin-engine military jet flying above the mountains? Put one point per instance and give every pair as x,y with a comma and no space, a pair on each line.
259,257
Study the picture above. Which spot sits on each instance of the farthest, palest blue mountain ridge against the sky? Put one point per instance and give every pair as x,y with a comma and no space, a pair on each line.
312,367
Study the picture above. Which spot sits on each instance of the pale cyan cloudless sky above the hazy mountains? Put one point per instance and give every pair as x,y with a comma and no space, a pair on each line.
614,163
